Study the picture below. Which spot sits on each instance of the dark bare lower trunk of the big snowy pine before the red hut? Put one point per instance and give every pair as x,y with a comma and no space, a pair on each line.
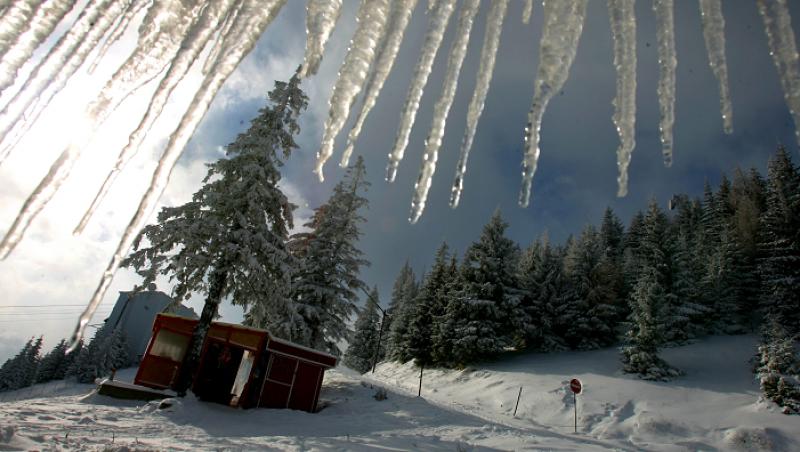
192,357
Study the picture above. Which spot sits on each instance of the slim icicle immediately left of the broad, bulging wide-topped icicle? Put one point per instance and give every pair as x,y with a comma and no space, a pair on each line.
491,41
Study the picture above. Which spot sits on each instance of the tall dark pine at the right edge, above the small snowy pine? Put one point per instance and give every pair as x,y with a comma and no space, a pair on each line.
780,244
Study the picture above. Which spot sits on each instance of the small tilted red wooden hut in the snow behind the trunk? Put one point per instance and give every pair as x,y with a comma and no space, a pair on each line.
239,366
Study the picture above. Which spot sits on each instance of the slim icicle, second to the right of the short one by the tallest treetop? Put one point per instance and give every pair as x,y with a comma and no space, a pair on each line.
400,17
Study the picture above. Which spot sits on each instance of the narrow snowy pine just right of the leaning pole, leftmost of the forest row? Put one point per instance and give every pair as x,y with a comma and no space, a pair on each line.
404,293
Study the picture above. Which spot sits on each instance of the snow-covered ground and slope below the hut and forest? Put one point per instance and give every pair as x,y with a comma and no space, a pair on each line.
714,406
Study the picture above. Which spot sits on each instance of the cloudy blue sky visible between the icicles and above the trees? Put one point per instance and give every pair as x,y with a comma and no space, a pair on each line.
575,181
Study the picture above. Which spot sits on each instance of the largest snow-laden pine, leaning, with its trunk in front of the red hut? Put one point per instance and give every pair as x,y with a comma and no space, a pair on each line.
230,239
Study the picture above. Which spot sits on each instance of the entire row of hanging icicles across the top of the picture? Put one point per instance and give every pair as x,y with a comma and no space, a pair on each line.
175,34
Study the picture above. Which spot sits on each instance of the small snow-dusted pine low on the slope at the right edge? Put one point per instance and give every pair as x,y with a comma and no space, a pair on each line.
778,368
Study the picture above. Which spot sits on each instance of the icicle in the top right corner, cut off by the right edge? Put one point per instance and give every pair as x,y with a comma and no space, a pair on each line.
782,46
